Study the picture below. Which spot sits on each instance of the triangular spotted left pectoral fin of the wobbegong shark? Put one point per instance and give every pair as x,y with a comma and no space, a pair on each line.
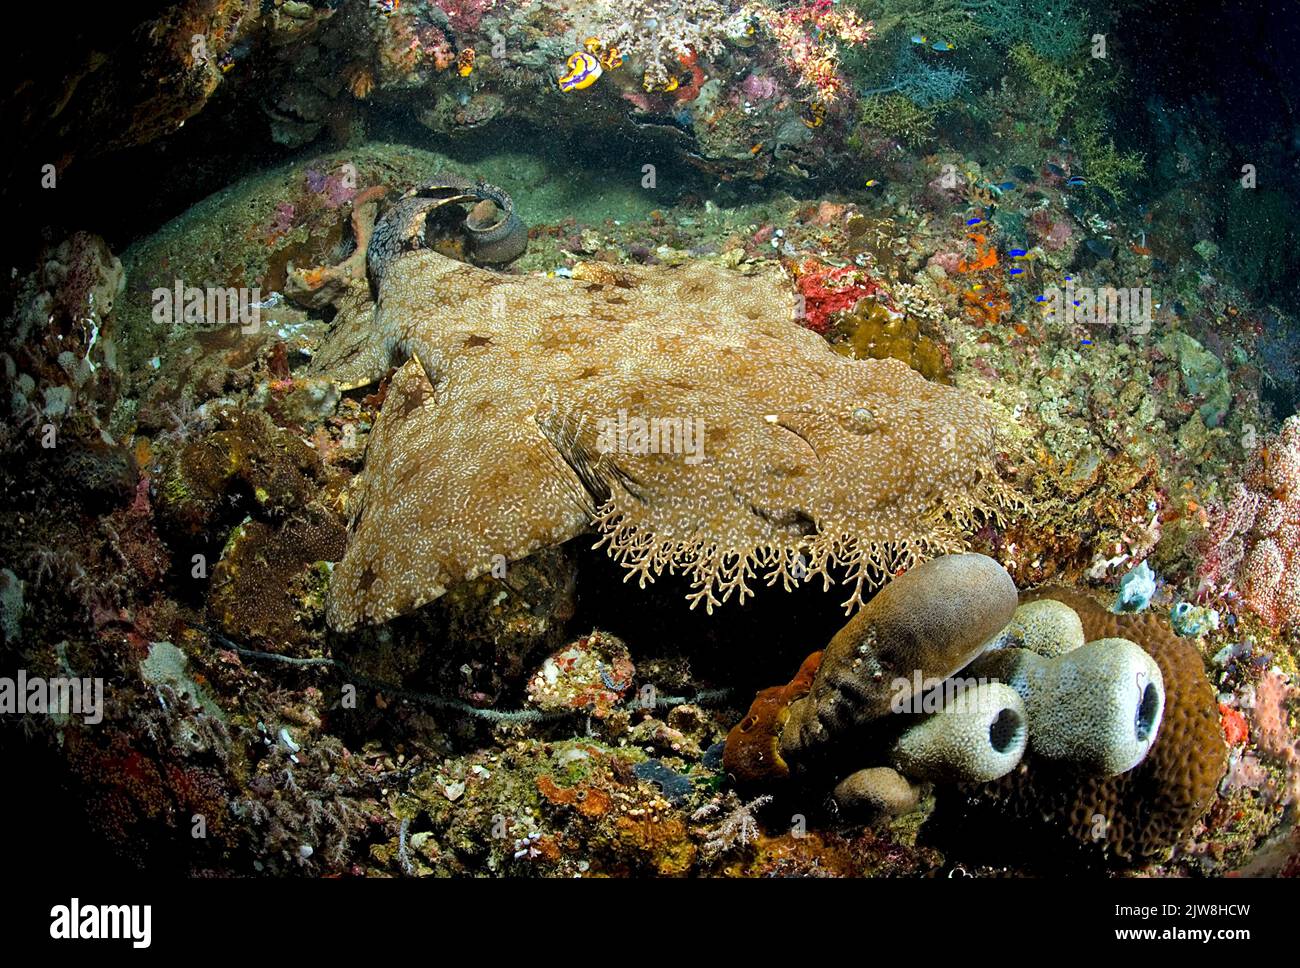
457,480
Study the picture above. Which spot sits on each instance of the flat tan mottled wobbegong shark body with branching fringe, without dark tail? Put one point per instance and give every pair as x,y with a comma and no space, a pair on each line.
684,413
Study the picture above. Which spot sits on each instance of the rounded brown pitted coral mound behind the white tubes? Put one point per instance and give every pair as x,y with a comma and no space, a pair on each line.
1142,814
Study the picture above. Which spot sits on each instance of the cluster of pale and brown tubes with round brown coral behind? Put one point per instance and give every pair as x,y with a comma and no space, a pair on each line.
946,679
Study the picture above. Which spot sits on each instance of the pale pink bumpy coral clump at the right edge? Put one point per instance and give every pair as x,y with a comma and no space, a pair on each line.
1254,545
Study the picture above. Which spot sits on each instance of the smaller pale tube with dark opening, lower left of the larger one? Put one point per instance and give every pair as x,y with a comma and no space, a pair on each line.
981,736
